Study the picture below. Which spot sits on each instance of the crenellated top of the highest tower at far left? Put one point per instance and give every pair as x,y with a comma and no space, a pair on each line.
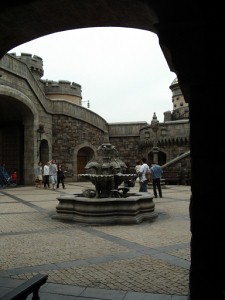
34,63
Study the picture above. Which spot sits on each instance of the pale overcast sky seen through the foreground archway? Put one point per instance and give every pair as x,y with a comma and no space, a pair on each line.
122,71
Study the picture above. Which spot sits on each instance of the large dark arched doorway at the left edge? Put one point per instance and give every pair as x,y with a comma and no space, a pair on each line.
16,136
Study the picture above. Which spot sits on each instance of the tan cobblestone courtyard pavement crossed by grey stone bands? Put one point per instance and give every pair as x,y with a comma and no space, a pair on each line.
145,261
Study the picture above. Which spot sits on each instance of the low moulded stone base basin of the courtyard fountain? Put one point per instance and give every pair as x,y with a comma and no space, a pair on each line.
134,209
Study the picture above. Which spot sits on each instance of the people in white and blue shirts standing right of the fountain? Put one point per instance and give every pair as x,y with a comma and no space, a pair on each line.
146,173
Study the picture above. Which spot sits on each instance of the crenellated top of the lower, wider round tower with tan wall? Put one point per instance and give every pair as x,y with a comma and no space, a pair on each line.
61,87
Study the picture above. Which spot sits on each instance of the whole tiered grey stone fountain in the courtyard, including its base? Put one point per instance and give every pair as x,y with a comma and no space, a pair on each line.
109,202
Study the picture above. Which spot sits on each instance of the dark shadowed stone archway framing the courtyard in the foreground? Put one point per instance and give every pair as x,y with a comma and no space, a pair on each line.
191,37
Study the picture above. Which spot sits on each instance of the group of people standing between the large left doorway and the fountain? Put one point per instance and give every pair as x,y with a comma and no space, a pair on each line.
50,174
